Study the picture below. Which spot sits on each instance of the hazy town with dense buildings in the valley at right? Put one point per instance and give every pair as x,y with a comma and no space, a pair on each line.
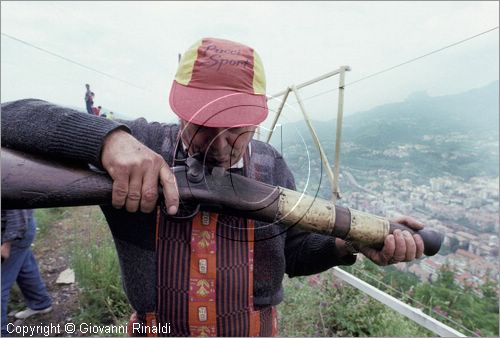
466,212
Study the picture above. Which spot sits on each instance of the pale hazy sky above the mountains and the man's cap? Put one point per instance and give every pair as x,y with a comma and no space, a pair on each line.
139,41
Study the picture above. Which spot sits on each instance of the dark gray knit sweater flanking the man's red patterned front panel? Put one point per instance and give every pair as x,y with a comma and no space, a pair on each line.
41,127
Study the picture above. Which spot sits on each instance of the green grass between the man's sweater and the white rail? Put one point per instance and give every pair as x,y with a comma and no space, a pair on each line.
331,308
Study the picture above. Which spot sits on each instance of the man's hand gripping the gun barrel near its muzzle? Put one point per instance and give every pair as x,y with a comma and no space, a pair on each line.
398,247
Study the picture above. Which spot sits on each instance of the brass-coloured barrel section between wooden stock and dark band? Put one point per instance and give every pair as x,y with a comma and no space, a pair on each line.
307,212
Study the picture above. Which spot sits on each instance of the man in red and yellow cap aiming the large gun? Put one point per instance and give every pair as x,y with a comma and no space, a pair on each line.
213,274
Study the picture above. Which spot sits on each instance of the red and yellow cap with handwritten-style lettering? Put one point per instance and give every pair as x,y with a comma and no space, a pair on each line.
220,83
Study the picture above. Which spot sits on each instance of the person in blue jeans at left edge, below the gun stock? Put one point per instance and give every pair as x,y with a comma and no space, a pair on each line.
19,264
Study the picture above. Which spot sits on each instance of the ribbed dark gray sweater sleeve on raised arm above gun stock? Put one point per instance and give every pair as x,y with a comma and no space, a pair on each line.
41,127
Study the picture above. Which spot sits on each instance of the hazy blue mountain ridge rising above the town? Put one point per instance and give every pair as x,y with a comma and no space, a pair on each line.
475,110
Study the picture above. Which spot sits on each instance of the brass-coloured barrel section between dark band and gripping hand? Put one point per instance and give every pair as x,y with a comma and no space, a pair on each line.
367,228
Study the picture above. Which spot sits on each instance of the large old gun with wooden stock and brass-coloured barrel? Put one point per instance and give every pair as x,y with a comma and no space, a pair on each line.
29,182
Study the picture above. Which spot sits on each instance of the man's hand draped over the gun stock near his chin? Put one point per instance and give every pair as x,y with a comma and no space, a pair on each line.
135,170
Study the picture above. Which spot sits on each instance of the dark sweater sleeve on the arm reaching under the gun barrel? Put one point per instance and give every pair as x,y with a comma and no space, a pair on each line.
307,253
